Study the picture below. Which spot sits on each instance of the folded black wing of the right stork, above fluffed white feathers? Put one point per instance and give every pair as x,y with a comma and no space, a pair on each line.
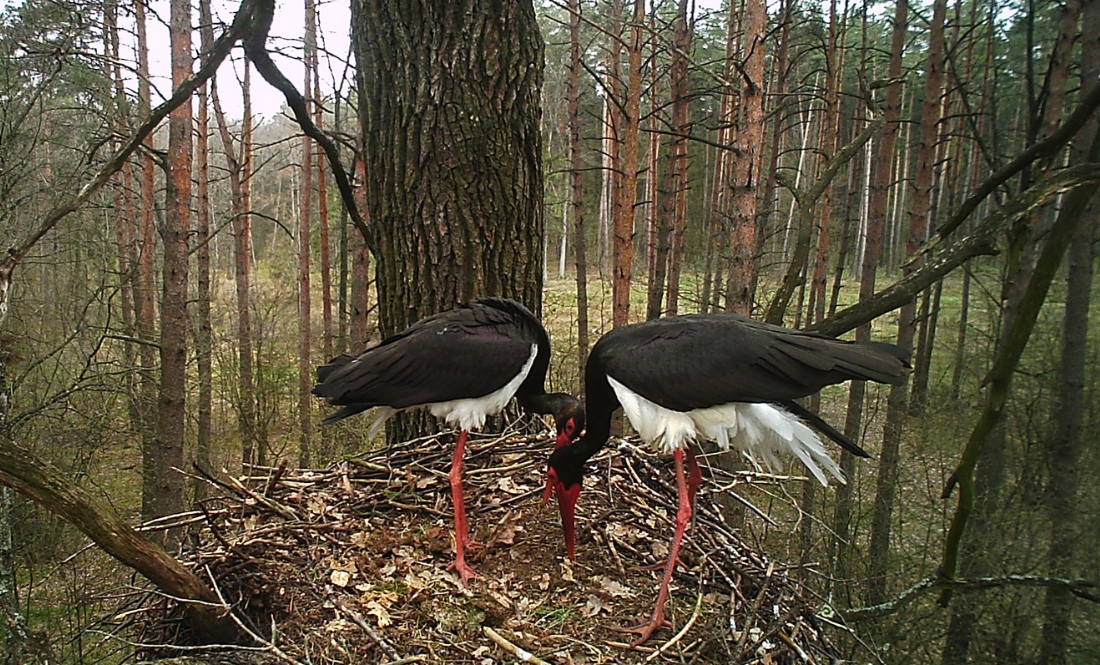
700,361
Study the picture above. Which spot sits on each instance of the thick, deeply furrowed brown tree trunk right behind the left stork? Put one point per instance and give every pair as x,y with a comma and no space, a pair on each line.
452,226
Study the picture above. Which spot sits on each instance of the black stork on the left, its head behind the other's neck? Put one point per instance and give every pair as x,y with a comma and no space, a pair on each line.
464,365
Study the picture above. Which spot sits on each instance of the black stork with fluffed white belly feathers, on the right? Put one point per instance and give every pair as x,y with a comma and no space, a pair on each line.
721,378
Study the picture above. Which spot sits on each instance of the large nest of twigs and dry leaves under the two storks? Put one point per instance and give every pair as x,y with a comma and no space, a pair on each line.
349,566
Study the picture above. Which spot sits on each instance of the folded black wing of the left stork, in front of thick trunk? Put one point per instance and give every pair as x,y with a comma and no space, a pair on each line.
465,353
